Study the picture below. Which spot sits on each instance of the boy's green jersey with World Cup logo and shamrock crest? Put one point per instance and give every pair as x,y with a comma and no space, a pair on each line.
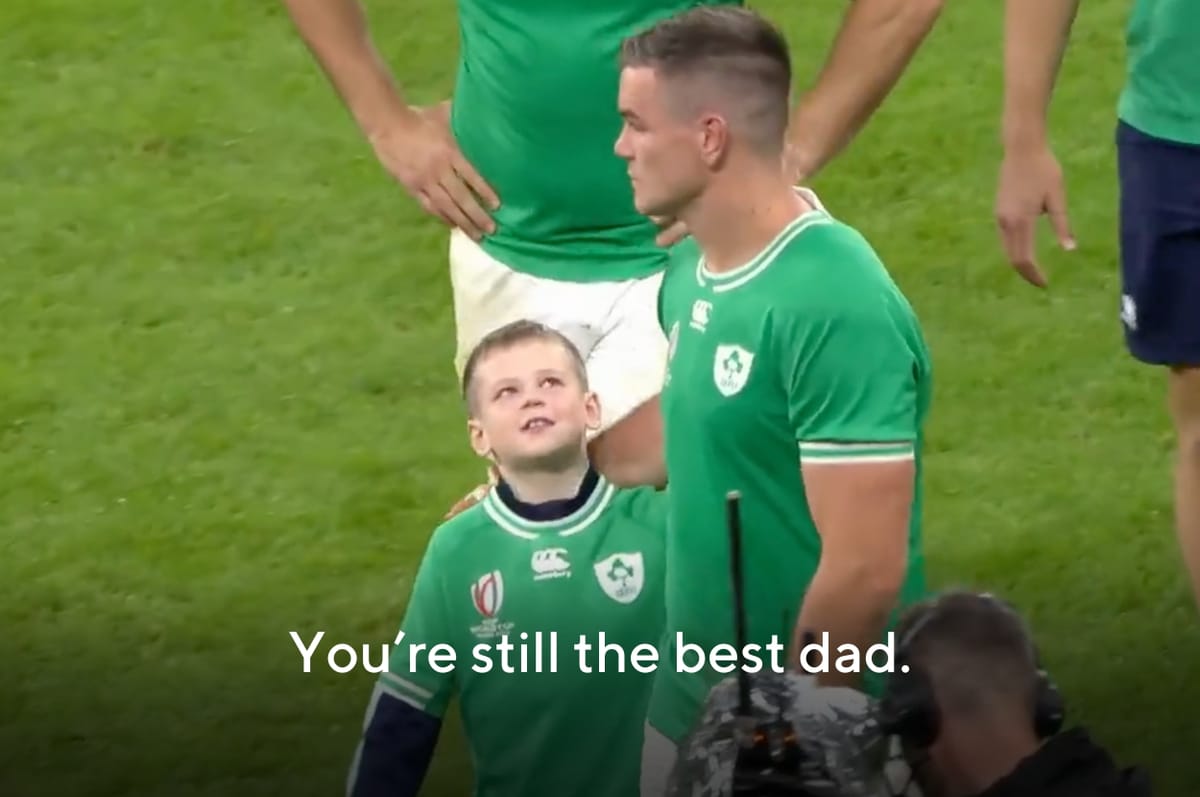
489,574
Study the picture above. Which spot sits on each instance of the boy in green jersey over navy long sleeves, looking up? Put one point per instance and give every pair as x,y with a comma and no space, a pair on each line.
555,555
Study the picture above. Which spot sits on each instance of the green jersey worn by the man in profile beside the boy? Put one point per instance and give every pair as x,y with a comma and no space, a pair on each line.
808,352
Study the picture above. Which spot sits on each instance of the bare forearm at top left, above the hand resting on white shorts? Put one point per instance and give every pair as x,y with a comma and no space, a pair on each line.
338,37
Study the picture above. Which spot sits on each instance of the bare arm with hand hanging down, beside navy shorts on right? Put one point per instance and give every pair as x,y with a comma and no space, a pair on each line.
1036,35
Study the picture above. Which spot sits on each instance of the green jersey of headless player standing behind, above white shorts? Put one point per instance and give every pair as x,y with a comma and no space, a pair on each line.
536,112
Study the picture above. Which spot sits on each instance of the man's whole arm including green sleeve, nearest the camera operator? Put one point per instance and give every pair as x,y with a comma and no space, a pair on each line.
855,408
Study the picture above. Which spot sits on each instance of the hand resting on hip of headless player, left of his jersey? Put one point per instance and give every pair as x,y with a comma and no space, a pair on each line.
423,155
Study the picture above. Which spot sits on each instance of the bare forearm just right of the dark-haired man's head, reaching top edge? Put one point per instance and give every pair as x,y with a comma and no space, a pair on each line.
875,45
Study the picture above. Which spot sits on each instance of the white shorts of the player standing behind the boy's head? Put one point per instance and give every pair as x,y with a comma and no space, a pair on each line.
615,325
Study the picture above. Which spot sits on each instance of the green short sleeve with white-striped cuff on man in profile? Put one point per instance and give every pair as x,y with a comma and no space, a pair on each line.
853,382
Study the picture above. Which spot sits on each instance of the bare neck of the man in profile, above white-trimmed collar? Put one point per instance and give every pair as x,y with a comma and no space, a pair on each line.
739,217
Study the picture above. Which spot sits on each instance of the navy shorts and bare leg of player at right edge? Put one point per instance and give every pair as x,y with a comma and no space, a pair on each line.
1161,299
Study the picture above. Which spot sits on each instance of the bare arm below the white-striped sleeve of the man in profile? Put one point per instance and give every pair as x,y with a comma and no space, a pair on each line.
862,512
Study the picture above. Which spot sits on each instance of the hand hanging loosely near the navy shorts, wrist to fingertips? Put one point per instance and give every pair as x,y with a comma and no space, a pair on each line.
1030,184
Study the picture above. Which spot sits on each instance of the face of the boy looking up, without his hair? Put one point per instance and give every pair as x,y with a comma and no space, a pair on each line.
532,412
